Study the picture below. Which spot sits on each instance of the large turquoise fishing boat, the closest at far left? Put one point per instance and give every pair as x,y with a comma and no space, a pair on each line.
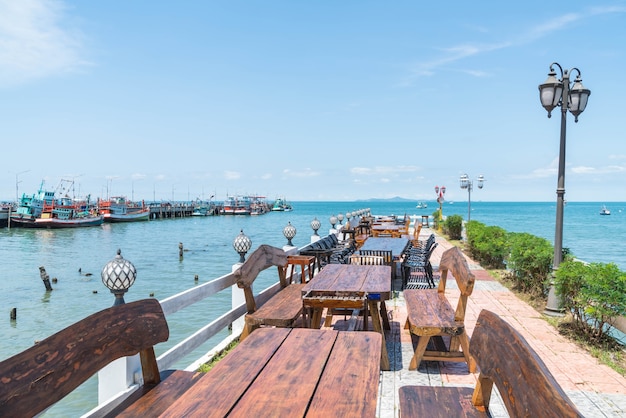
45,209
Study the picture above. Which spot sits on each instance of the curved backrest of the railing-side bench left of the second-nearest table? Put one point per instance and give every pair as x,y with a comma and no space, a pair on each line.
262,258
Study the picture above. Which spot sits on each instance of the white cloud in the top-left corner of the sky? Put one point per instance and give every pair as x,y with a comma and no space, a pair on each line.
33,42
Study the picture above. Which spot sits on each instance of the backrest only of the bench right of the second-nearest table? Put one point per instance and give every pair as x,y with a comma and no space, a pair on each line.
454,261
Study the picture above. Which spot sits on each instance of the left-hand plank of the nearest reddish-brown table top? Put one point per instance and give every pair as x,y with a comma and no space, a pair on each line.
216,392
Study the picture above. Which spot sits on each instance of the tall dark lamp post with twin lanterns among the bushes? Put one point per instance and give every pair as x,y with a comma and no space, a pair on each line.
558,92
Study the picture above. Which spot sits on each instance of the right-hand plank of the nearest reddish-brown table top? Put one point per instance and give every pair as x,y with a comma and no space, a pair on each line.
352,366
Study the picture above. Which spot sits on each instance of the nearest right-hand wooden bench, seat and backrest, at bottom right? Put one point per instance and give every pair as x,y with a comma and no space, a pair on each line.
505,358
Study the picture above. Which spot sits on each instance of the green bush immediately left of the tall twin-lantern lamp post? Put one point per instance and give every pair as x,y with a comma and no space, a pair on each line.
530,262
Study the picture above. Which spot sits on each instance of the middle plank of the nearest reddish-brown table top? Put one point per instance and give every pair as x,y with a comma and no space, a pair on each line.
293,373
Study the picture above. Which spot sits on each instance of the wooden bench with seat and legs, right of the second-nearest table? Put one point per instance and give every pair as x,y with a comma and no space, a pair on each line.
431,316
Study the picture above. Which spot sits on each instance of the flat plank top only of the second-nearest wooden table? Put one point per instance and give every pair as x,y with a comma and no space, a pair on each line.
350,280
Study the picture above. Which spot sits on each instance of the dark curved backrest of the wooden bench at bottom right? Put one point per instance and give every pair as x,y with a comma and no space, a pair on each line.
526,386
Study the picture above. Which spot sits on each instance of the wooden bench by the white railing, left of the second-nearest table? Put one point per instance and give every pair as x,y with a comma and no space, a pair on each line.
284,308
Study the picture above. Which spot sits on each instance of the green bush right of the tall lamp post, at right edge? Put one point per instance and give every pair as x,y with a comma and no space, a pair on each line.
594,293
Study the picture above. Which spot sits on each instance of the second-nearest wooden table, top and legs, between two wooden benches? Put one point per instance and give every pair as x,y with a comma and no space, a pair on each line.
347,285
